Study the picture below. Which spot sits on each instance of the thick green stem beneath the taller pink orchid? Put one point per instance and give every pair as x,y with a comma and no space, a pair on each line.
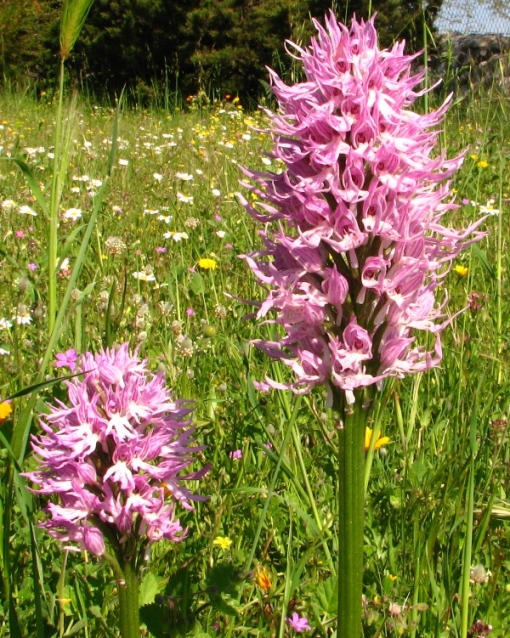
351,500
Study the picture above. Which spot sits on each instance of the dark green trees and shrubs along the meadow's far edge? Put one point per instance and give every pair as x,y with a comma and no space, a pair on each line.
218,46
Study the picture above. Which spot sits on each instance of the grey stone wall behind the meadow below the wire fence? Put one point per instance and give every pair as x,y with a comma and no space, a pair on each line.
466,61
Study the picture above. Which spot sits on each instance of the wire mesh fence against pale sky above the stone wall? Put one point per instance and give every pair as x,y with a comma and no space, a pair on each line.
474,16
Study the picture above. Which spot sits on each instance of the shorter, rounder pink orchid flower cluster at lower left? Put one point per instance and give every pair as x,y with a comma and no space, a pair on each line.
115,456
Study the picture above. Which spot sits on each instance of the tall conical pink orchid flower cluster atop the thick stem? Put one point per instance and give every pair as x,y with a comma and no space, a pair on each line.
359,247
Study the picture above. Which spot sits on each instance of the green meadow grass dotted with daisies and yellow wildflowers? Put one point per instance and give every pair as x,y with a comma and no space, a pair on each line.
436,536
